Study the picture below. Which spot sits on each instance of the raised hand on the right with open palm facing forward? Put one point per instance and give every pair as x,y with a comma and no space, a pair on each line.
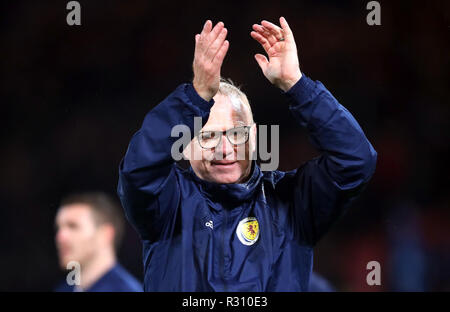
282,69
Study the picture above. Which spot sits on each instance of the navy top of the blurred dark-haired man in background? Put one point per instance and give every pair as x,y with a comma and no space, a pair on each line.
115,280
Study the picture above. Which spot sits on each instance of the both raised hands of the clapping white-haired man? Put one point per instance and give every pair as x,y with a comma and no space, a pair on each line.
281,67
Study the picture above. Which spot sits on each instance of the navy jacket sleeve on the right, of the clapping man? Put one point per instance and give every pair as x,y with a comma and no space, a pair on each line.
325,186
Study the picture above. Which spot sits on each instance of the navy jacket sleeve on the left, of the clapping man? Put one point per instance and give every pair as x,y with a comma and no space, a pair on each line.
148,186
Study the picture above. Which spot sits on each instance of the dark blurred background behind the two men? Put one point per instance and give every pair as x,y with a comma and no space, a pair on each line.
72,96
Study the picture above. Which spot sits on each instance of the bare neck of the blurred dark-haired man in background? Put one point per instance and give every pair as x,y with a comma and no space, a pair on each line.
93,270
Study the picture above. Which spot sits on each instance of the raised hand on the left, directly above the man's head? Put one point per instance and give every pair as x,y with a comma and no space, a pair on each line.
210,50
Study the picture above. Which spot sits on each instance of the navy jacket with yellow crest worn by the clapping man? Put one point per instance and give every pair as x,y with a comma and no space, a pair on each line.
190,228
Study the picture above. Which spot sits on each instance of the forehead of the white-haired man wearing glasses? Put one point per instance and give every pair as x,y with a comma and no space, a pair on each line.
227,112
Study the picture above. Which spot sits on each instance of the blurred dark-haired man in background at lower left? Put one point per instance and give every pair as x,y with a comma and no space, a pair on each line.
89,230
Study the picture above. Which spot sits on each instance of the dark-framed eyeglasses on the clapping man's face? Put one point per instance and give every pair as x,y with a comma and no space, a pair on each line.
236,136
